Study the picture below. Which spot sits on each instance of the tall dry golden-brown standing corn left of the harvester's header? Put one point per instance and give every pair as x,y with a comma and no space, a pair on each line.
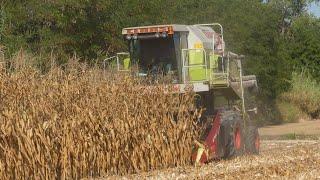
80,123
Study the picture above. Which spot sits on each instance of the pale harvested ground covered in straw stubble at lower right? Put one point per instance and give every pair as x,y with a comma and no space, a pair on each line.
288,159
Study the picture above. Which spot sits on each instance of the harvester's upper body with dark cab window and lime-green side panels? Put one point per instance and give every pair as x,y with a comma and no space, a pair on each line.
192,54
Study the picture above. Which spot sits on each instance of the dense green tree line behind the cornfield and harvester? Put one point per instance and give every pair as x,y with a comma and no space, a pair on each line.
277,37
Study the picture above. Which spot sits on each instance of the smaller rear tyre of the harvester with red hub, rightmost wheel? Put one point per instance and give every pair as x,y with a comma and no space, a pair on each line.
252,140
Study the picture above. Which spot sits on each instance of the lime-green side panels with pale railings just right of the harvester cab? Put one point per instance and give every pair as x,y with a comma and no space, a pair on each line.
206,66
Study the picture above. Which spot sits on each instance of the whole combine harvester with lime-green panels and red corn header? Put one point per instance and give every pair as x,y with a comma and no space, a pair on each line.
195,57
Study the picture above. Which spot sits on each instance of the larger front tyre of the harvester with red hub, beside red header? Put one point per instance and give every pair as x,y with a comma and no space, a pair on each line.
235,135
